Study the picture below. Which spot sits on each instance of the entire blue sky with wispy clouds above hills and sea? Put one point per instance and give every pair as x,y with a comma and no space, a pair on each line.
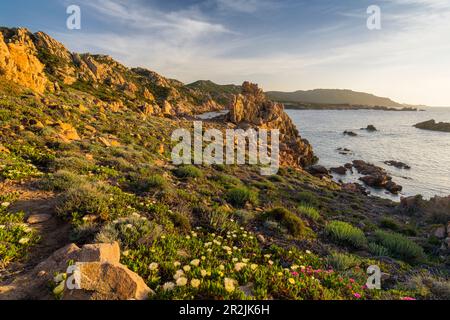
284,45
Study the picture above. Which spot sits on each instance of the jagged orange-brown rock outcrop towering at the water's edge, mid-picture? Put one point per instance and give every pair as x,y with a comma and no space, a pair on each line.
252,108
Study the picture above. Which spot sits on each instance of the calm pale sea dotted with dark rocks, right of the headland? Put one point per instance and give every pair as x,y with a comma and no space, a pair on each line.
426,152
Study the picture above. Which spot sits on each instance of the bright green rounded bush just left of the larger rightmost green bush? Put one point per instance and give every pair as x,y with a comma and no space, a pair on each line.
345,233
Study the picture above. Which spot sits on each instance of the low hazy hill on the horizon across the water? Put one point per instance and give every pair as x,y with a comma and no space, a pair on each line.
333,96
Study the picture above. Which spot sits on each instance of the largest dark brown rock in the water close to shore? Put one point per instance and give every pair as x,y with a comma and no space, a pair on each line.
376,177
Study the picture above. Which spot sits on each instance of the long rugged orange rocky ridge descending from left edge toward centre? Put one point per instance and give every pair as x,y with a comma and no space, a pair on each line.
41,63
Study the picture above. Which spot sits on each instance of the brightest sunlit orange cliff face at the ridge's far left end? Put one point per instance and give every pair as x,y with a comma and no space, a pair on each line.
19,62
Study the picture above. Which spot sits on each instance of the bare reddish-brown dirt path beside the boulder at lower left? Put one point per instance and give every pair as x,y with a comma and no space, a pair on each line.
54,233
